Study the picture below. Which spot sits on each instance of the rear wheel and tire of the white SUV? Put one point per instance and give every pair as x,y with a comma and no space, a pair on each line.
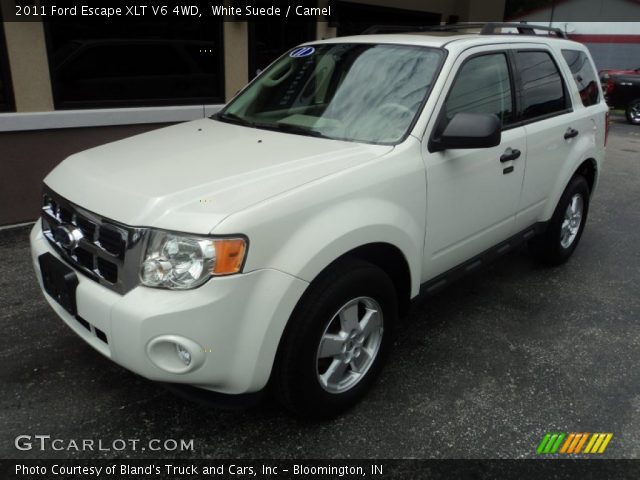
558,242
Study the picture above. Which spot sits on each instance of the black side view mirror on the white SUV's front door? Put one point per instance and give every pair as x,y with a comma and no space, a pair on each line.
469,130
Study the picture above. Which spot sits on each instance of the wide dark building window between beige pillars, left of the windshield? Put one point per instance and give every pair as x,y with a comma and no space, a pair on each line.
137,63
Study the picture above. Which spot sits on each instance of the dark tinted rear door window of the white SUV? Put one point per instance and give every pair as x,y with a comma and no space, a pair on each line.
542,88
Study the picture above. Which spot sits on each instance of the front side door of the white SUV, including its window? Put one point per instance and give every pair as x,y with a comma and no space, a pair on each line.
473,194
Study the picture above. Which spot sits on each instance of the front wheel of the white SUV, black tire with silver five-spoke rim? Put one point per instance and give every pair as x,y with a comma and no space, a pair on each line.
336,340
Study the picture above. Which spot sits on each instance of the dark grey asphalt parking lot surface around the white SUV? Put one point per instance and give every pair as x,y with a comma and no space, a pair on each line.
481,370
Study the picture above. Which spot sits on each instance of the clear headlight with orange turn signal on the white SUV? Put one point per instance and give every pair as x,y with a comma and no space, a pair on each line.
181,262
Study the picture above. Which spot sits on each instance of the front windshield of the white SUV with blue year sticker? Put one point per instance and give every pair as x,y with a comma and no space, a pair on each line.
357,92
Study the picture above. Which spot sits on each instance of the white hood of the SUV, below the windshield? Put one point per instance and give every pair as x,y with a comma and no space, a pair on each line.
189,177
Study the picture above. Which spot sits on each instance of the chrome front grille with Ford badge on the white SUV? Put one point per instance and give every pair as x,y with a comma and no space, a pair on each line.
106,251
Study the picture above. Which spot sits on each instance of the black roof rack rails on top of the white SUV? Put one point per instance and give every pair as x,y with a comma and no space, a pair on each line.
486,28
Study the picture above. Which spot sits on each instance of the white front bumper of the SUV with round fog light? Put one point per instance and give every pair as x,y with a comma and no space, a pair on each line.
233,324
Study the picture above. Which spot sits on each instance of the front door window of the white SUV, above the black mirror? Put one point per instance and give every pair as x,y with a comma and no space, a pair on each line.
482,86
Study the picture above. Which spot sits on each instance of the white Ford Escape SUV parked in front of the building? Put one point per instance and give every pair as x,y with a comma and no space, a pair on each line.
277,243
